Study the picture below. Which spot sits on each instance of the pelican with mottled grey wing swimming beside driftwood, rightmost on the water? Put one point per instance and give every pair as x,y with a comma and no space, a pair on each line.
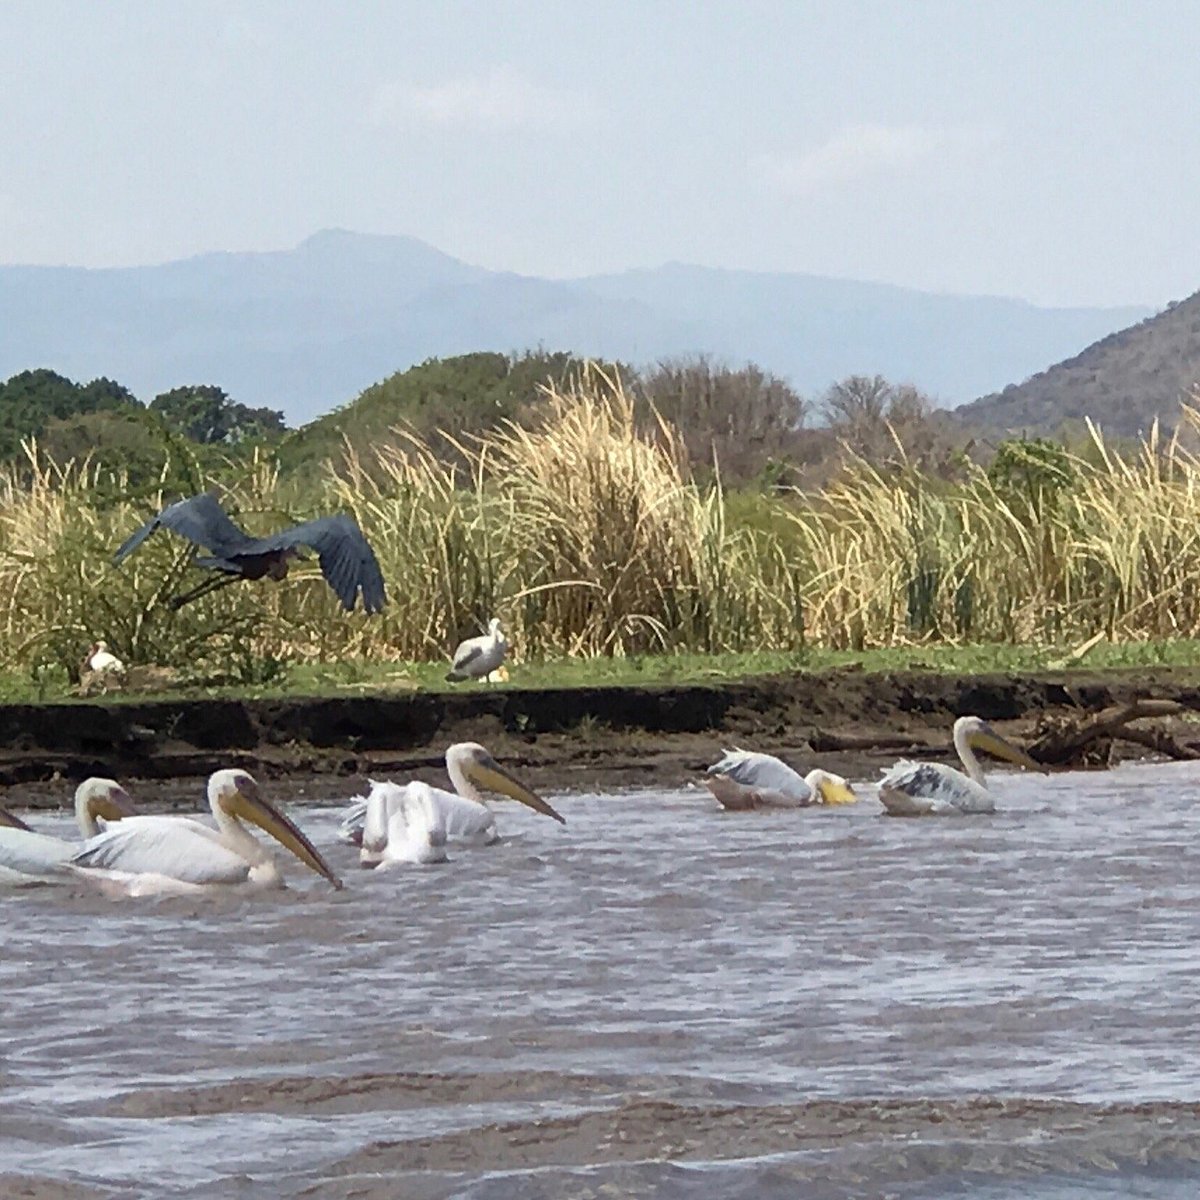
932,789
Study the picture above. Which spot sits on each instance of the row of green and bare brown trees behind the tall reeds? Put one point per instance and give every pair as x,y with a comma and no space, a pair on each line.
743,423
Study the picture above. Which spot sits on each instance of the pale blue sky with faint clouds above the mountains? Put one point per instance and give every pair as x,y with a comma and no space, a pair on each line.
1041,149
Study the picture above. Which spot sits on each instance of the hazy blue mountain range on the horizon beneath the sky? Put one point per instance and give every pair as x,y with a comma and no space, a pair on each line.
308,329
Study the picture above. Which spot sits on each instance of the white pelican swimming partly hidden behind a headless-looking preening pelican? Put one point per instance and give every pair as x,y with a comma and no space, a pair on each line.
467,819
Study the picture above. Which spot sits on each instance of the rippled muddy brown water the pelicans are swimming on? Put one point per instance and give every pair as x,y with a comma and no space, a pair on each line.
658,1000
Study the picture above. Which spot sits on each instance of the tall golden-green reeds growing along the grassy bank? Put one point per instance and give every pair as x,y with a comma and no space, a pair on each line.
589,537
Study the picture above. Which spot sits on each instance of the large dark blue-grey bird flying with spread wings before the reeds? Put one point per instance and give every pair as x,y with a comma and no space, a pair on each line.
346,560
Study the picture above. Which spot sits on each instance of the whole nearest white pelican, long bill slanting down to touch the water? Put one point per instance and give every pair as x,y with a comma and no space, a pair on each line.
143,856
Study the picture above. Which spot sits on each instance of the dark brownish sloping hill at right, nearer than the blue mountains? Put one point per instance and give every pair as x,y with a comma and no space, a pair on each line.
1123,382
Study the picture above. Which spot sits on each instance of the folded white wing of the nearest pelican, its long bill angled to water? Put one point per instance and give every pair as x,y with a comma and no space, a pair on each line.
177,848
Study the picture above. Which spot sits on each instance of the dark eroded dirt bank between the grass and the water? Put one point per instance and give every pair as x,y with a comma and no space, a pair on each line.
572,739
